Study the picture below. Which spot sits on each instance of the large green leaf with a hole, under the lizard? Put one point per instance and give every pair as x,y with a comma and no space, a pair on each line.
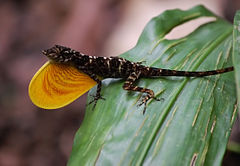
191,125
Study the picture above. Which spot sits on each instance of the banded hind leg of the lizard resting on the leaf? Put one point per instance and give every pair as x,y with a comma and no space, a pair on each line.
128,85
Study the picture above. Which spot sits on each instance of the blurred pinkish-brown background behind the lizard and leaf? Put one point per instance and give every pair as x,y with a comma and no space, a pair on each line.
30,136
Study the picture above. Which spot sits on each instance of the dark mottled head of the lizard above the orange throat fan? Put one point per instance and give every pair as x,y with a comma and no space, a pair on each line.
59,54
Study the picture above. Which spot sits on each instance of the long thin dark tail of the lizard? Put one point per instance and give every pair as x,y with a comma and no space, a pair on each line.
166,72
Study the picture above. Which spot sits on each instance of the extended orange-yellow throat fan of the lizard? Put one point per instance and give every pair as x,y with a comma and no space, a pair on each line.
57,85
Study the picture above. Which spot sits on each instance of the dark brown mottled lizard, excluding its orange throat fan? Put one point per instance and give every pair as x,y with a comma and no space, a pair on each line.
116,67
